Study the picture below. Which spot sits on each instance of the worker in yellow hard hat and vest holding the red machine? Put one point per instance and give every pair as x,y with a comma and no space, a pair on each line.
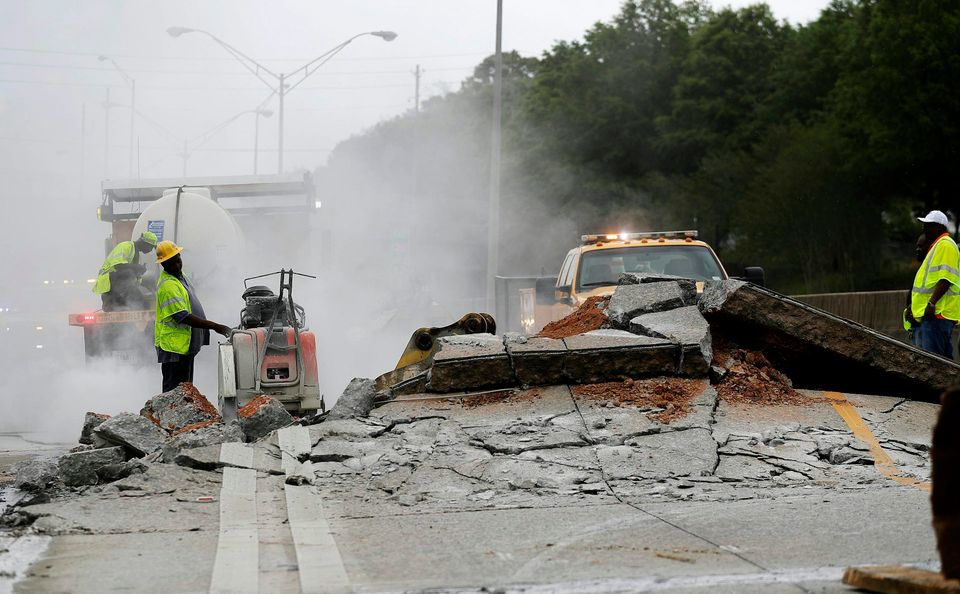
180,328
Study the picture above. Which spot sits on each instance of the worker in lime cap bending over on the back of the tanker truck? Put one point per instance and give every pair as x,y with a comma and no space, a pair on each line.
118,281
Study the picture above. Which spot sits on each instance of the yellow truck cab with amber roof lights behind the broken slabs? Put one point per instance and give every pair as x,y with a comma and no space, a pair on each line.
594,267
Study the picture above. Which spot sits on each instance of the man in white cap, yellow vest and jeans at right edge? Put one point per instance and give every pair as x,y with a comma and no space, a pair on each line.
935,296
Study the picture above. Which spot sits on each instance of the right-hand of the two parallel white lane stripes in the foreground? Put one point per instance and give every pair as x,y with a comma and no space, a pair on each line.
318,557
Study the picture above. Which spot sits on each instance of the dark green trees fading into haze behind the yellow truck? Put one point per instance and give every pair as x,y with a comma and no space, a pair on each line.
806,149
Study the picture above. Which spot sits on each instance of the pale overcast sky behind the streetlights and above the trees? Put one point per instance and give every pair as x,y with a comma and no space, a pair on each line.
188,85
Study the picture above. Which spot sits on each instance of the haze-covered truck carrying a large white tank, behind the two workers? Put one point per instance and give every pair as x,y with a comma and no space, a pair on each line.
223,223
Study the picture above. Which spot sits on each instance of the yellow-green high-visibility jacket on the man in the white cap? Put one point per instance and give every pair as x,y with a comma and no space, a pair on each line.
941,263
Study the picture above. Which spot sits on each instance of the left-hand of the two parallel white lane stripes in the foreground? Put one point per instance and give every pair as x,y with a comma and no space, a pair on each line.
237,564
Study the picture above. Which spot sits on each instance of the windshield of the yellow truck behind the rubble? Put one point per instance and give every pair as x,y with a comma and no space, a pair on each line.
604,267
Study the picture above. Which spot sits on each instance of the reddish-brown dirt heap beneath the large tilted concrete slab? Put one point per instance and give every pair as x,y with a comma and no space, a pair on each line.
750,379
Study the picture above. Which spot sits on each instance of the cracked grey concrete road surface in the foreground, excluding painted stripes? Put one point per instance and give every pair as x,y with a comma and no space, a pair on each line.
540,488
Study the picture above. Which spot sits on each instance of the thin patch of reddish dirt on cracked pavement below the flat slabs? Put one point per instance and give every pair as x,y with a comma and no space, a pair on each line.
672,394
